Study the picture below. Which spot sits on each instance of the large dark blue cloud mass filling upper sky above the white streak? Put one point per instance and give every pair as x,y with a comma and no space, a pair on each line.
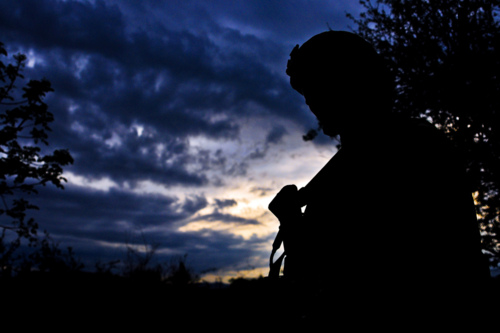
174,82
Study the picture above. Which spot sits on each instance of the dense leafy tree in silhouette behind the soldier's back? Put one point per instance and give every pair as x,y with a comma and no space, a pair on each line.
445,60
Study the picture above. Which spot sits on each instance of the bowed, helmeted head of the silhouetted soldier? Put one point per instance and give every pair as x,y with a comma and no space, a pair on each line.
342,78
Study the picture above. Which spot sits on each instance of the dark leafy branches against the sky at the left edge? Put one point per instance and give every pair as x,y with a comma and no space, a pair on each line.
24,127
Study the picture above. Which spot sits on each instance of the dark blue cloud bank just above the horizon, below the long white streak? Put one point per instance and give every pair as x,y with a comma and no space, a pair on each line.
88,219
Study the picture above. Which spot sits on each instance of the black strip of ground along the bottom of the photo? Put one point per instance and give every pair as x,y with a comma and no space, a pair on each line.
108,302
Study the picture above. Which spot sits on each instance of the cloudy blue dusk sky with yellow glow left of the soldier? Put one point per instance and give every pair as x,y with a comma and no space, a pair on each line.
180,119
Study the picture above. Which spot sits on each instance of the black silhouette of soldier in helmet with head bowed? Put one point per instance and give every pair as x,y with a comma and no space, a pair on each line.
391,214
